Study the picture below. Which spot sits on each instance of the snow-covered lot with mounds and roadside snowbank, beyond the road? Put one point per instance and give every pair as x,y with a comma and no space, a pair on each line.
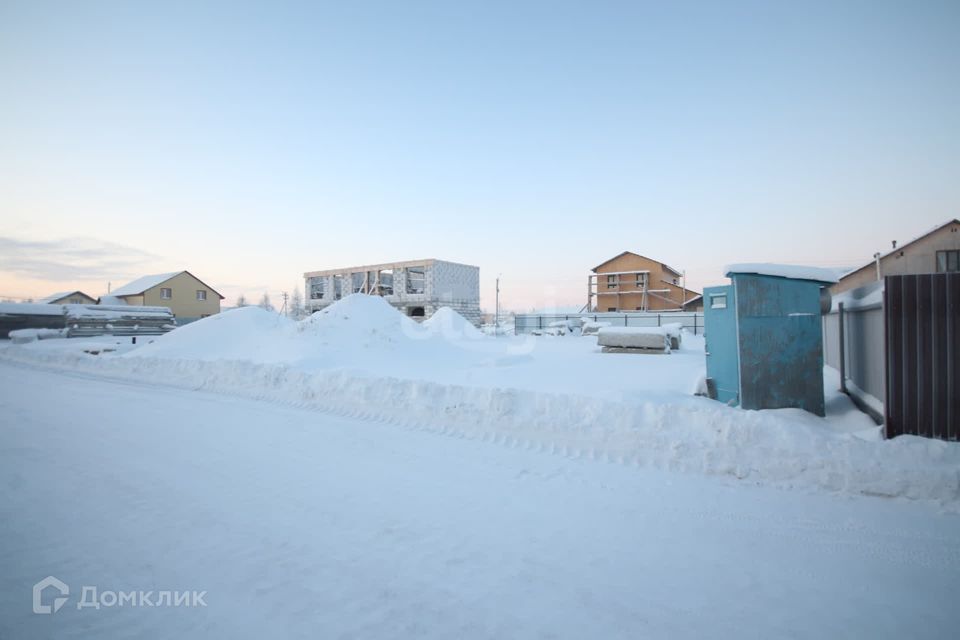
360,357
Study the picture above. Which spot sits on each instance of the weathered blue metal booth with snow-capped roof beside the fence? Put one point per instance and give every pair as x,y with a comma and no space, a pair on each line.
764,337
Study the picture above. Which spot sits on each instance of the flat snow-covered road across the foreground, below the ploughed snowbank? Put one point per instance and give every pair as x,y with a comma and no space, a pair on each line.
302,524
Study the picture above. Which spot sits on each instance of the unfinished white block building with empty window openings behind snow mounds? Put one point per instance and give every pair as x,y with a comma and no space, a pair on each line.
416,287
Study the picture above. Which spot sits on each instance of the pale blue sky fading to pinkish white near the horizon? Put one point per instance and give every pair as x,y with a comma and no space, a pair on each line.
252,142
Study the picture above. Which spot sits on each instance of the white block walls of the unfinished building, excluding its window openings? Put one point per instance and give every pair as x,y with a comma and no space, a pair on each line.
445,284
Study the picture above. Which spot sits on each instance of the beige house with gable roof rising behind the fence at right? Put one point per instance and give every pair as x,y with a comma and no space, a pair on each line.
936,251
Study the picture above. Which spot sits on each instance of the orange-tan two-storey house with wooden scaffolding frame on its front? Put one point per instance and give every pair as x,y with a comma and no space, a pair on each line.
631,282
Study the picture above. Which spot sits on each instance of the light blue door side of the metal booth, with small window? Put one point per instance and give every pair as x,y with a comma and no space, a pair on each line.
720,331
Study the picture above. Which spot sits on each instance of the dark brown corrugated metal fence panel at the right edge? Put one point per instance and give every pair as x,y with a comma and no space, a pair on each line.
922,318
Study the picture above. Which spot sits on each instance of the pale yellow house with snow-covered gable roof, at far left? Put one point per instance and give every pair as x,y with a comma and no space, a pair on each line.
188,297
